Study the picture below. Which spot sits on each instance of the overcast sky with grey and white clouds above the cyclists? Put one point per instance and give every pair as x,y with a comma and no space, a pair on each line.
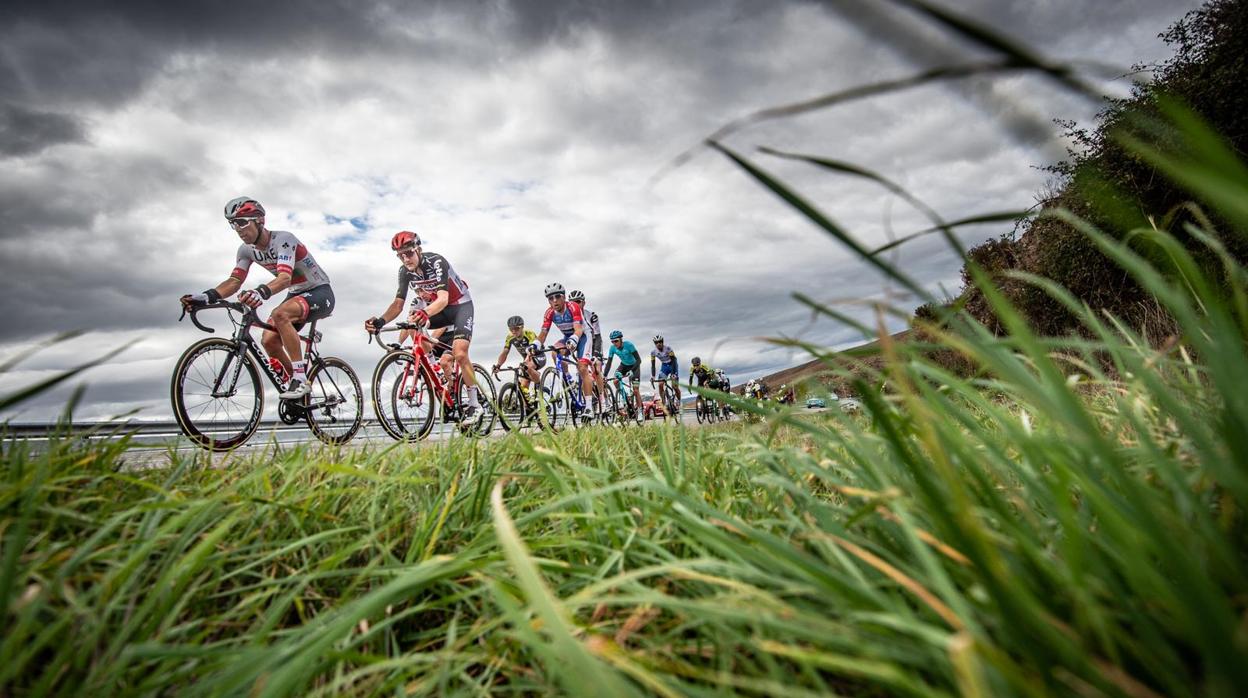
526,142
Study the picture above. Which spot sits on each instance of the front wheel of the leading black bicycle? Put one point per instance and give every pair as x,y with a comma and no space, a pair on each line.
217,395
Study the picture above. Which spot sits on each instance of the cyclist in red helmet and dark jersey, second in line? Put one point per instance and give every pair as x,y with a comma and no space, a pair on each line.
450,305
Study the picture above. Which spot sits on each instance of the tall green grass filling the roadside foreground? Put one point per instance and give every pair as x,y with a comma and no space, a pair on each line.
1068,518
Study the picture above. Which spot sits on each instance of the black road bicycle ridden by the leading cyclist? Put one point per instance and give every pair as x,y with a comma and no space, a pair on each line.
218,394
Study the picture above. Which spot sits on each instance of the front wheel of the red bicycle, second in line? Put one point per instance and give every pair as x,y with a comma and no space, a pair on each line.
402,398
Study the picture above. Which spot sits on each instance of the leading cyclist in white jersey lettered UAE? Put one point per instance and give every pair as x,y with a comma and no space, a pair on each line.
309,295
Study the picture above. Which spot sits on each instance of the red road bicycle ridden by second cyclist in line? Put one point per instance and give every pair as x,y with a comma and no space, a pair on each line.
409,389
